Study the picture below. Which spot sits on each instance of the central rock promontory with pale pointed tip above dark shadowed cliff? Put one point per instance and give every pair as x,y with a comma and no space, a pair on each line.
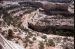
43,22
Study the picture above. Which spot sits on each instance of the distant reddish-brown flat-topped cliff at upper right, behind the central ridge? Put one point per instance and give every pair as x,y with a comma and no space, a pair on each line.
54,6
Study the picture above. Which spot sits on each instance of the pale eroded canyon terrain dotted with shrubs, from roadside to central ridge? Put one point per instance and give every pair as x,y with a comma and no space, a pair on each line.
18,24
